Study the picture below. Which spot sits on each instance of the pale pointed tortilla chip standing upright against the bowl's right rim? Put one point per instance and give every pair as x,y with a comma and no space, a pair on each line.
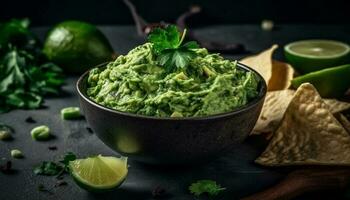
261,62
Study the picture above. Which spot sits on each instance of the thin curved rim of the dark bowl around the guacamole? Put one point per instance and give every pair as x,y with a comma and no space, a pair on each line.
238,110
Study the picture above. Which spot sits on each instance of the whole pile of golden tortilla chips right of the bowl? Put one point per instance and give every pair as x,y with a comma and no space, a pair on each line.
303,128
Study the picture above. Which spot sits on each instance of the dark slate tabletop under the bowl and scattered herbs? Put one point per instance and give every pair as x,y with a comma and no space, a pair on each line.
235,171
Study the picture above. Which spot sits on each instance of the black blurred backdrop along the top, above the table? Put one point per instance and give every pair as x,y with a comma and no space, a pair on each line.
48,12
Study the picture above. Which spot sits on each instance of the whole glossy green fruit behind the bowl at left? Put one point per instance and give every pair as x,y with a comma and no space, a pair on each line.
77,46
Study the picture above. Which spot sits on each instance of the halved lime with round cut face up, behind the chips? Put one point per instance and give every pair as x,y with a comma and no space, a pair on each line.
313,55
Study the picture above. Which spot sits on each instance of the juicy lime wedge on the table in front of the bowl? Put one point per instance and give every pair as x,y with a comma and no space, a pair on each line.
99,173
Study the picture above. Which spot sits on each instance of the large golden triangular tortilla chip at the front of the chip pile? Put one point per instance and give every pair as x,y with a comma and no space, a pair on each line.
309,134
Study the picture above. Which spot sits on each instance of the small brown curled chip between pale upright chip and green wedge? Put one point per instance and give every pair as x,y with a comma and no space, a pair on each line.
282,75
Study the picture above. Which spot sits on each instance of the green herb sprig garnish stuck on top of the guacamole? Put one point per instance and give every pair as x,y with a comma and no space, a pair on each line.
168,47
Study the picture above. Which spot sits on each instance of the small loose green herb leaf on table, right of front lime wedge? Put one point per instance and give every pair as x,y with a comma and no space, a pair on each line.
205,186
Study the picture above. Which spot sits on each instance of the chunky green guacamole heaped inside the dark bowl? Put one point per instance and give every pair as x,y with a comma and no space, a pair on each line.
137,83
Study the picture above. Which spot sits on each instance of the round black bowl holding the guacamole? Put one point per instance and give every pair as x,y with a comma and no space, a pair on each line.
171,140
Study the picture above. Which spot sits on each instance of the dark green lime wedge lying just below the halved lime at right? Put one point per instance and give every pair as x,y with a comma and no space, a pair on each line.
330,82
